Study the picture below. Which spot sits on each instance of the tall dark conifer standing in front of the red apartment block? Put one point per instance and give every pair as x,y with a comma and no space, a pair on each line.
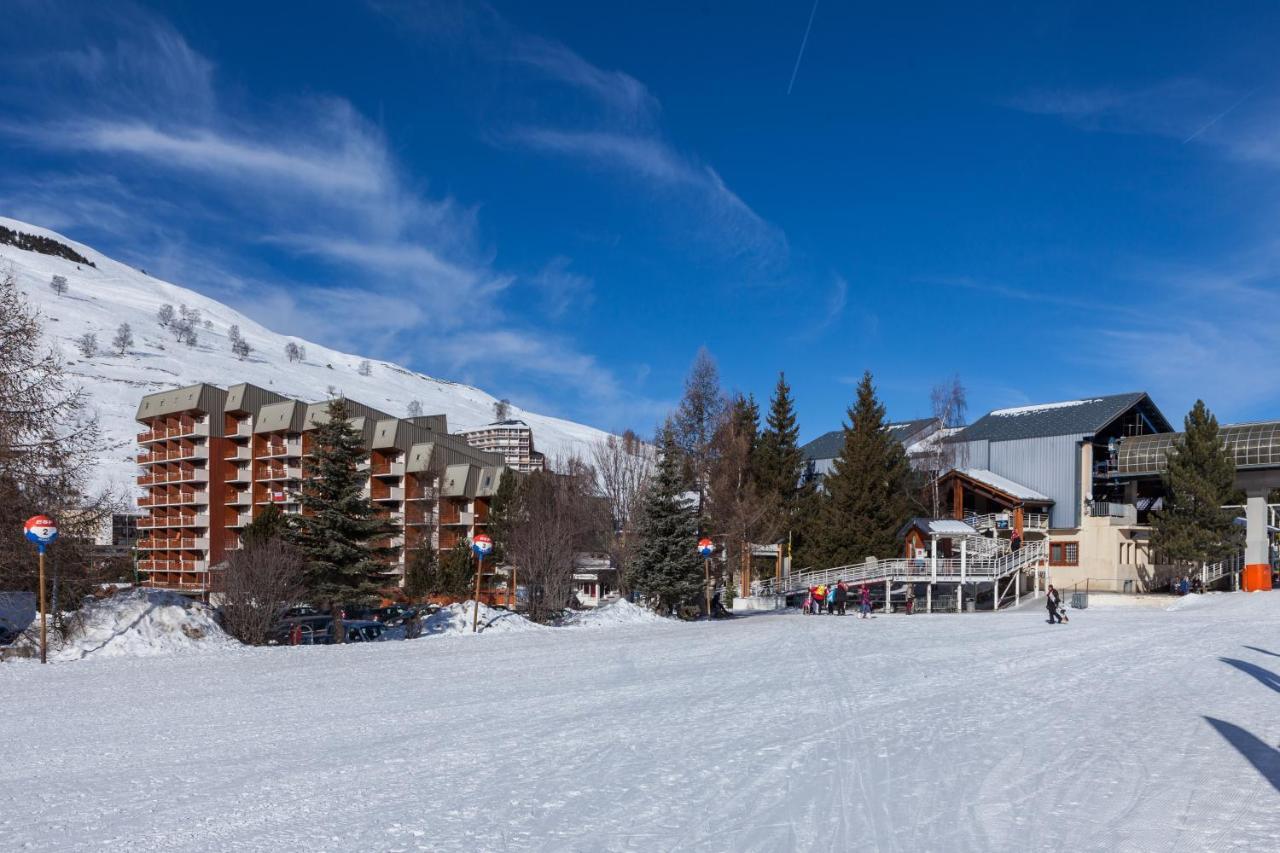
340,531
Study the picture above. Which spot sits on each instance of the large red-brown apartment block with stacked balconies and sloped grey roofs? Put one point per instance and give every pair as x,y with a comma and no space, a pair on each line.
213,459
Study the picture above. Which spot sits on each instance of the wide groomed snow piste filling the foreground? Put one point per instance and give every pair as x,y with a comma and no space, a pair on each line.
1132,728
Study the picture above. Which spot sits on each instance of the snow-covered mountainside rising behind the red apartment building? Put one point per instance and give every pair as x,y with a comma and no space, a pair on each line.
102,297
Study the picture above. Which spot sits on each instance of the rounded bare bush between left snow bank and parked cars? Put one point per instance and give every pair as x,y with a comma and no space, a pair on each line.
259,583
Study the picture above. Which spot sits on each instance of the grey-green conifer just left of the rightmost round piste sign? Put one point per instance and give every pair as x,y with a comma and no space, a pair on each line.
666,568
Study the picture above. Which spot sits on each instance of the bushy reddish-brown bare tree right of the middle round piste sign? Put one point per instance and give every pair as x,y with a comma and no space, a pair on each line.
556,517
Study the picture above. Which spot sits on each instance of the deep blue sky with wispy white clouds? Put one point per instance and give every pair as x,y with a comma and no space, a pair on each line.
563,202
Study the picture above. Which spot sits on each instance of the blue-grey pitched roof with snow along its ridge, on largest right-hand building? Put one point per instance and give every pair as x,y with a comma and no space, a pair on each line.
1067,418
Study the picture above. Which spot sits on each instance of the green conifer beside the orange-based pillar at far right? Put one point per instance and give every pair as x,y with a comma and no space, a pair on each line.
1194,527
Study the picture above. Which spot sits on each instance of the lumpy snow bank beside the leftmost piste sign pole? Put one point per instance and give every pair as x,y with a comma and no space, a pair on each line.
143,623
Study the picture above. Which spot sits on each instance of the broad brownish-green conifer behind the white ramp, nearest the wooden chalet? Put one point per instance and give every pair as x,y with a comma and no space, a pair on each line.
868,492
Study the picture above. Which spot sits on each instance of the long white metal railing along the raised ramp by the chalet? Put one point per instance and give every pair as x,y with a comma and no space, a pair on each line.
911,569
